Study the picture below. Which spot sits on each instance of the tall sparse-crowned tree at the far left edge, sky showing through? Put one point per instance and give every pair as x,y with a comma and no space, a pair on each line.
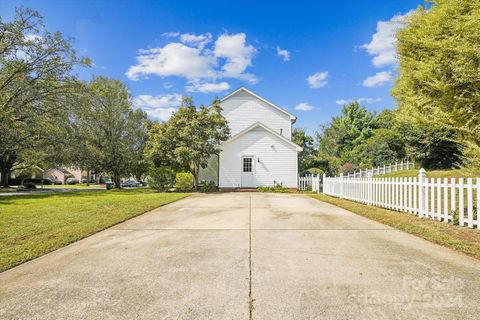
35,75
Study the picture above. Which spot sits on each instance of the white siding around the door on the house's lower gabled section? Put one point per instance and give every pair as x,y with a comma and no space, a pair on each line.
274,160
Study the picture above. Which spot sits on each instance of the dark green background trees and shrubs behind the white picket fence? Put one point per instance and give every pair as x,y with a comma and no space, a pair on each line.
386,138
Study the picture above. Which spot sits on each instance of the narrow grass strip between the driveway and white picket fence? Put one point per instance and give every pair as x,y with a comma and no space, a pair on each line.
454,237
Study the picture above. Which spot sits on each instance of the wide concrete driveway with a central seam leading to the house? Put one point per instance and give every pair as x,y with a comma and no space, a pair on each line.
245,256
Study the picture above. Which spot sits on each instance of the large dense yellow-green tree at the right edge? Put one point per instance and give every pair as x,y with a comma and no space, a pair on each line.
439,79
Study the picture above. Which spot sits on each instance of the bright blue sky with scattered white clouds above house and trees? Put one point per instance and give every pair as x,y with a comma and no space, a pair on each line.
307,57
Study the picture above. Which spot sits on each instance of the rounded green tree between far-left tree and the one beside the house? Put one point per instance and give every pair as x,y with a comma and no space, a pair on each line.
114,133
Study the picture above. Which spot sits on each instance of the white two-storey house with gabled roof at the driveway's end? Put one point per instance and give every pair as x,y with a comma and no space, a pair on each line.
260,151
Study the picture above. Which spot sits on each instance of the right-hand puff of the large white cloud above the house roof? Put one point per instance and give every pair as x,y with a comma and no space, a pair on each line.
238,55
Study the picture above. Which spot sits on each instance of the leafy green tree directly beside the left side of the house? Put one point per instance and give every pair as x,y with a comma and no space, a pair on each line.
189,138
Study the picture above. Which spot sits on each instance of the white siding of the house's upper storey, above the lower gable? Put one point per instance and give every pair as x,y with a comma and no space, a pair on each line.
242,110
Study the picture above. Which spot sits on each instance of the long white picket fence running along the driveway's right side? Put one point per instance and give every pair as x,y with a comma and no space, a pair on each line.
449,200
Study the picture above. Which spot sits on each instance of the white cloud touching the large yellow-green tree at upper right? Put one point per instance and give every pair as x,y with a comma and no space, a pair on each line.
383,43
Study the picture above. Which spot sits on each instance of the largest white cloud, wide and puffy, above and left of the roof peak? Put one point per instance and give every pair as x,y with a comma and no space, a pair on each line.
195,58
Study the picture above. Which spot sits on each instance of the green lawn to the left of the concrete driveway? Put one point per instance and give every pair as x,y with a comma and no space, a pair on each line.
32,225
